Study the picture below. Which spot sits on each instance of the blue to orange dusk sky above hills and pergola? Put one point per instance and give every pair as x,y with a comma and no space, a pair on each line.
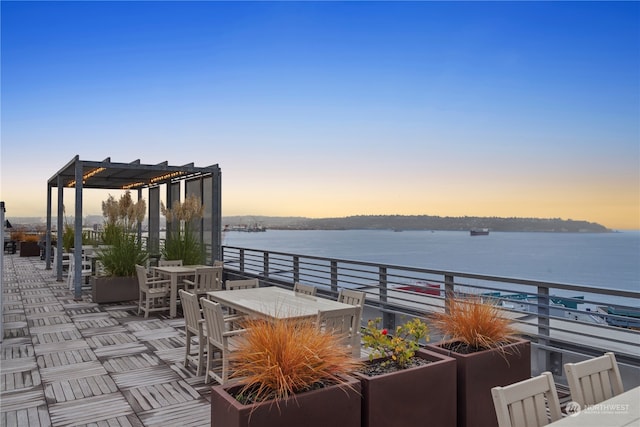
324,109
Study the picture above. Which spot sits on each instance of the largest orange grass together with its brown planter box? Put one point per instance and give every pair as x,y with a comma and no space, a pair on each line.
290,373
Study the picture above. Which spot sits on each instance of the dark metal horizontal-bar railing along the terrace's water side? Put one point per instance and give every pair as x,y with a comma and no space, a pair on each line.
555,316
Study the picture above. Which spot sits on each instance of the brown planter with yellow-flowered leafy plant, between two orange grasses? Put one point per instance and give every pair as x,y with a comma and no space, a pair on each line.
403,384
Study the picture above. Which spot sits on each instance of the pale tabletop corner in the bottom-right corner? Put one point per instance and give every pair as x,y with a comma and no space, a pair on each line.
622,410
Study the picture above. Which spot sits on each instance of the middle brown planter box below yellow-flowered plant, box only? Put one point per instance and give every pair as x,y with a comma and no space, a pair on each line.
424,395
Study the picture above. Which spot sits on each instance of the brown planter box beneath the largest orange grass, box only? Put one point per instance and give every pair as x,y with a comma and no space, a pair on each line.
333,406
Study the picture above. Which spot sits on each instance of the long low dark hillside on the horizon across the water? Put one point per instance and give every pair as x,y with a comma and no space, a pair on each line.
419,222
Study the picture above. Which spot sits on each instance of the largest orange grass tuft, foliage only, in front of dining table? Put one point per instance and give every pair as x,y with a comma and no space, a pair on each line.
277,359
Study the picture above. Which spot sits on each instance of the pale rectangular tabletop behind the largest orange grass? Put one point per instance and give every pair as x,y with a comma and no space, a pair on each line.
272,302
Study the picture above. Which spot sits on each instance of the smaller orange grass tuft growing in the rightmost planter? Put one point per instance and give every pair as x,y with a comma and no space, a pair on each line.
478,324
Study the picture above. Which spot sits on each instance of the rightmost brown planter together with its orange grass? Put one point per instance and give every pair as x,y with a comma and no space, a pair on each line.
482,339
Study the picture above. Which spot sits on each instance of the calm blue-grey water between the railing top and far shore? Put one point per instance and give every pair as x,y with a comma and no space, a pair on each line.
601,260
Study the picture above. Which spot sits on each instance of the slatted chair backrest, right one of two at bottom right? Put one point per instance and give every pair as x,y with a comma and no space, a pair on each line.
594,380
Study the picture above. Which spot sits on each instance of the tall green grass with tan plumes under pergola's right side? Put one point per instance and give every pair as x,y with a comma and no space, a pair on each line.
182,242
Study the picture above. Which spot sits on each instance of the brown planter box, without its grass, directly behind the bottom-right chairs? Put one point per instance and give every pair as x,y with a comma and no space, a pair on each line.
478,372
